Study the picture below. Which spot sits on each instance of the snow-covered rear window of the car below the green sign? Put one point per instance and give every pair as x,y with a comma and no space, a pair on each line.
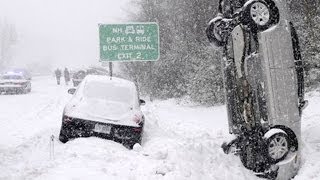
109,92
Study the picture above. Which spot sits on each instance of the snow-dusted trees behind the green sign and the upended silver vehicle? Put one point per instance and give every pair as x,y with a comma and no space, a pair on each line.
189,67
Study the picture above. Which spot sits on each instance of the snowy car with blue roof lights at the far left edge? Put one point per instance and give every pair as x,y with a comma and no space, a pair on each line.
16,83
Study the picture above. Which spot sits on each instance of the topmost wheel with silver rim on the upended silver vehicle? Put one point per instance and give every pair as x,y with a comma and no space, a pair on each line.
260,14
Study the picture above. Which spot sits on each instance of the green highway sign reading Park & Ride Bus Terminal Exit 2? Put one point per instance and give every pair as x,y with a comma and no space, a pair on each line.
129,42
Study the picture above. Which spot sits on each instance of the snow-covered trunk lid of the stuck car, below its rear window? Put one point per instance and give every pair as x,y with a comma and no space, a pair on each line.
102,111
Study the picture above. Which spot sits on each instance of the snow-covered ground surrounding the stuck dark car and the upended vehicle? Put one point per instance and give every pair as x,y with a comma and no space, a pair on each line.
180,142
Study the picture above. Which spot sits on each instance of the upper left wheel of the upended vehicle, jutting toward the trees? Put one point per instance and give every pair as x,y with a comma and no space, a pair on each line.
213,33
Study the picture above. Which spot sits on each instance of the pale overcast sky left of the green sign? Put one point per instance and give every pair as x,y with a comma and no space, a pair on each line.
60,32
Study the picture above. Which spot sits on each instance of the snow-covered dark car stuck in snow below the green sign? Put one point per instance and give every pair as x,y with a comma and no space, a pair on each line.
104,107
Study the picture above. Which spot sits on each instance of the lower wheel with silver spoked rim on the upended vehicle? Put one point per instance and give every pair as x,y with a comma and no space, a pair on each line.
278,147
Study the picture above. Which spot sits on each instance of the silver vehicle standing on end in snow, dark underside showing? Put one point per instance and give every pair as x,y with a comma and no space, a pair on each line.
264,85
